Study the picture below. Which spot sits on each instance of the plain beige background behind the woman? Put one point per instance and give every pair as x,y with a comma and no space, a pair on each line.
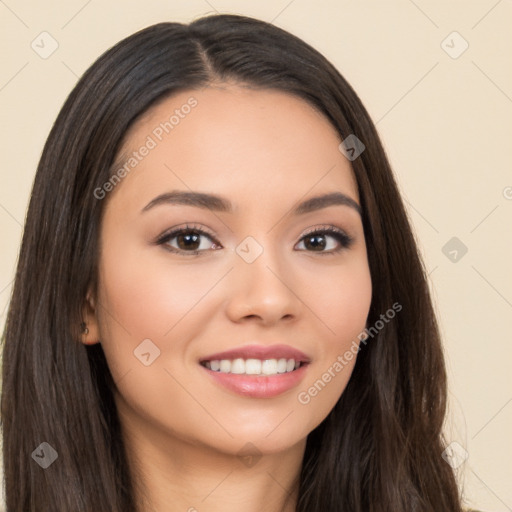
445,121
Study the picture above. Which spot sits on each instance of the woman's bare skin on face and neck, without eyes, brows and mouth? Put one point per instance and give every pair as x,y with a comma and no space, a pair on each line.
266,151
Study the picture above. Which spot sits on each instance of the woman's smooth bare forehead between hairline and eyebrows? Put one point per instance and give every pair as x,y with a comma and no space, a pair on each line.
236,141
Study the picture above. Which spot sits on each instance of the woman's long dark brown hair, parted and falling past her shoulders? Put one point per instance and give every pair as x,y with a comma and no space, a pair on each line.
380,447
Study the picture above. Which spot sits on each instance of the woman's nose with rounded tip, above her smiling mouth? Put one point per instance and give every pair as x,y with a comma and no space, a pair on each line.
264,290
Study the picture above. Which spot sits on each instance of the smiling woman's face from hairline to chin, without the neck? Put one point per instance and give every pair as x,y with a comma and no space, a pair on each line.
248,275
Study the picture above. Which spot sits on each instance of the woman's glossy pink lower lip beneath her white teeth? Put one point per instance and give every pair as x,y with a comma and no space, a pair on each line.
259,387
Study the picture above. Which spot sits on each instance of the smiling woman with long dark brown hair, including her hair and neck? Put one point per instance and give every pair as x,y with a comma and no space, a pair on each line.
219,303
